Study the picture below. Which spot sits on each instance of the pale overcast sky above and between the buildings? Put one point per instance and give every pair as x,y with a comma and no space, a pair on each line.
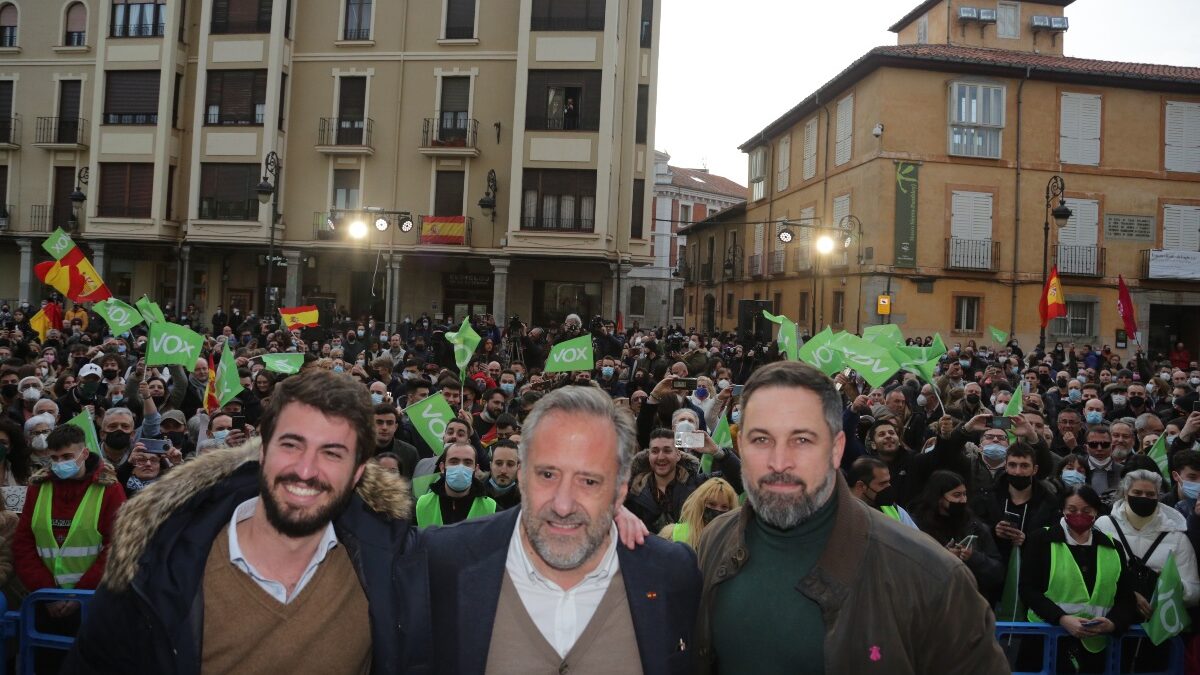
729,69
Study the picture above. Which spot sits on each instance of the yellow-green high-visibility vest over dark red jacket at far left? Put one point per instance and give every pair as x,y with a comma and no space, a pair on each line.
83,543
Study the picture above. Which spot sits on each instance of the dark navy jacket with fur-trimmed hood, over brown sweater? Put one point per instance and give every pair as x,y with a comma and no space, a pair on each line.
154,583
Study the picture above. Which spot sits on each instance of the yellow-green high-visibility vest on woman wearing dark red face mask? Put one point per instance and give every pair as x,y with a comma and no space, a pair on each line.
1070,593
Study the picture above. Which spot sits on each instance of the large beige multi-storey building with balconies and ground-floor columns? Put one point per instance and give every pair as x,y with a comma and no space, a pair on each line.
376,112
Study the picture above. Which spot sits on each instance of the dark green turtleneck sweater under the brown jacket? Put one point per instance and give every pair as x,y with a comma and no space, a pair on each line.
763,623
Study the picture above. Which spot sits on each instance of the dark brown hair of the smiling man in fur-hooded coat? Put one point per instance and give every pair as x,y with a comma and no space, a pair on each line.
332,395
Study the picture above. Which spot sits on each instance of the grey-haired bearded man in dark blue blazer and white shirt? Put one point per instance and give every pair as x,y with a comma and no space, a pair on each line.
545,588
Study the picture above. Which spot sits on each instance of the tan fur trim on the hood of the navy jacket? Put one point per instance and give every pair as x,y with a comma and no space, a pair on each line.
140,519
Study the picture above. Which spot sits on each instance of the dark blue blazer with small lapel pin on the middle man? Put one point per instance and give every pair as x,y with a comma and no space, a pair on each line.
467,566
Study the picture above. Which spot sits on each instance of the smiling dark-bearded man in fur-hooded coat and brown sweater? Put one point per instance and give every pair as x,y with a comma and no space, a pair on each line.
286,557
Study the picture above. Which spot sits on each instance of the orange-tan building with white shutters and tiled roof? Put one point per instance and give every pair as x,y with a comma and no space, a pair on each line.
921,174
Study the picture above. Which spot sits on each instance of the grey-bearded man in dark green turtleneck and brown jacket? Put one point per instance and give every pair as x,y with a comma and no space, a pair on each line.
806,577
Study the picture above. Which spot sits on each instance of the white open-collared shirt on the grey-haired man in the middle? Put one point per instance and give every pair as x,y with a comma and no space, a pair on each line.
561,616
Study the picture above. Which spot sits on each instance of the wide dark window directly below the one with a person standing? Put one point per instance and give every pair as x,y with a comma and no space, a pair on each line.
560,200
